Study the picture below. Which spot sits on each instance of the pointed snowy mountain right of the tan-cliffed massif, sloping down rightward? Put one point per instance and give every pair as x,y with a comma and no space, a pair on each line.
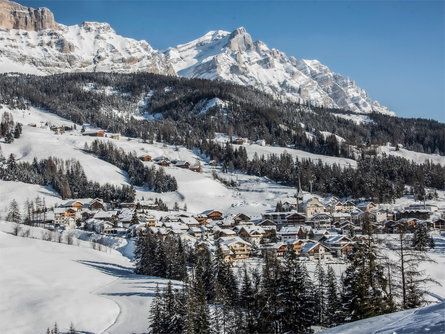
236,58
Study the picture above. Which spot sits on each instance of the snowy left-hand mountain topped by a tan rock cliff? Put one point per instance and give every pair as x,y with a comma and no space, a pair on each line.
32,42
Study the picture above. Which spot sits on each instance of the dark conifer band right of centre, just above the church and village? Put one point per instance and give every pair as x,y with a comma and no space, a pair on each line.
378,178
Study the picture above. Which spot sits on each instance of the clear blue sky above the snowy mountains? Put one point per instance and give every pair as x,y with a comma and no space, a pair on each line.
392,49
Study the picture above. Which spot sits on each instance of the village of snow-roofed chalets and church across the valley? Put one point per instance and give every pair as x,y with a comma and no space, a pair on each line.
315,229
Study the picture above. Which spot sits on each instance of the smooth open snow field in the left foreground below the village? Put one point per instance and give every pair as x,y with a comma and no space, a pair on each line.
43,282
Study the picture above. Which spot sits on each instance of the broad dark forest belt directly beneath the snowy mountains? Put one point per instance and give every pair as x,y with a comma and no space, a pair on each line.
249,113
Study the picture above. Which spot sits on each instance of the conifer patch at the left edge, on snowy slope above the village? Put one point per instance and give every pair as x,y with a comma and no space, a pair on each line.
66,177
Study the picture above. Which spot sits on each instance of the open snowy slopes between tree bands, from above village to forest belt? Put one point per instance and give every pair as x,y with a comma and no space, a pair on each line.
199,191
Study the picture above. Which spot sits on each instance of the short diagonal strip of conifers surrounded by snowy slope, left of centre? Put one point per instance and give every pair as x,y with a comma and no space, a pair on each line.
139,175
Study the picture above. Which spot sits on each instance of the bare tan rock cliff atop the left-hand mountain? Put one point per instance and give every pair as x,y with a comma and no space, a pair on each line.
16,16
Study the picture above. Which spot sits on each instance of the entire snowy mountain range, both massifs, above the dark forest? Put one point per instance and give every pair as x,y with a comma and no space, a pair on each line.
31,41
